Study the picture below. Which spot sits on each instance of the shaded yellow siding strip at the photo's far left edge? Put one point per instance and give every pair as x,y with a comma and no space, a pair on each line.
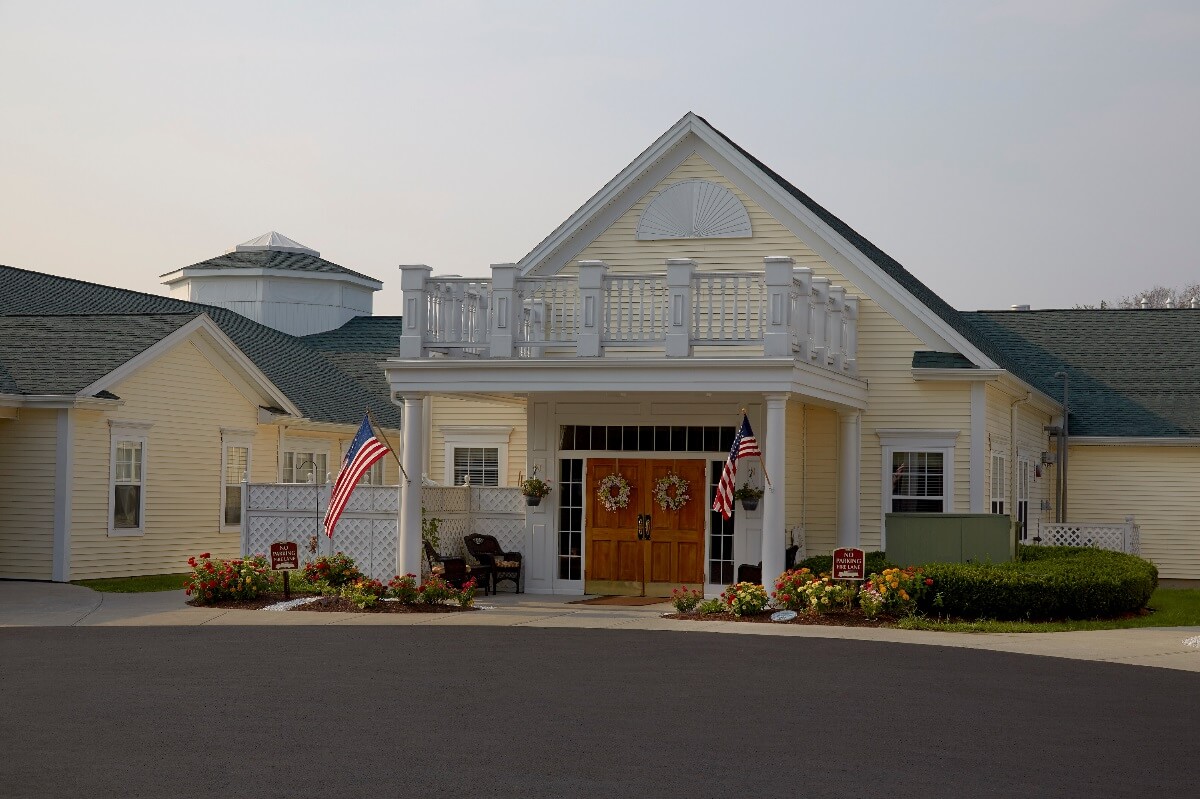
27,495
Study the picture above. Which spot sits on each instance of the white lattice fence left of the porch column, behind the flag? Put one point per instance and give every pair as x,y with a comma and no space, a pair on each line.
295,513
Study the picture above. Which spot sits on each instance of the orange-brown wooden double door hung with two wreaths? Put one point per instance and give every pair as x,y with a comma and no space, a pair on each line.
643,550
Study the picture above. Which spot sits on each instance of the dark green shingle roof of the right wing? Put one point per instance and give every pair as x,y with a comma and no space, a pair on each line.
1132,373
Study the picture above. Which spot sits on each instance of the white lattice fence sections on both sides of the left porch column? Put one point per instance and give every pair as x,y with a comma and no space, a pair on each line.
368,530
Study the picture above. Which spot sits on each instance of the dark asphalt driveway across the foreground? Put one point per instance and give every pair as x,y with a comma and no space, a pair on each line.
484,712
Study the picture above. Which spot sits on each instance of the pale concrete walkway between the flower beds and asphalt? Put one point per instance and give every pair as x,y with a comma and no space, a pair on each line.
62,605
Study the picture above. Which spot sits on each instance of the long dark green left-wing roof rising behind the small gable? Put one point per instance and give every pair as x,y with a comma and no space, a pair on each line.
319,388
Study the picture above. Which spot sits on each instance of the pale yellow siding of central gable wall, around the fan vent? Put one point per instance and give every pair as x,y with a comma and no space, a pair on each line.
885,346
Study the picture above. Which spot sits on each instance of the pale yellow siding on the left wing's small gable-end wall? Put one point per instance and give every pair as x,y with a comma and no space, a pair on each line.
188,401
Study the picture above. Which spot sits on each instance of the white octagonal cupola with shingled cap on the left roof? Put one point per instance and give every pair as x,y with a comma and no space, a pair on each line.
280,284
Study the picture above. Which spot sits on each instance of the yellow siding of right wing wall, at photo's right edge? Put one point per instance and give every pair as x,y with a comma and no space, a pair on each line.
1156,485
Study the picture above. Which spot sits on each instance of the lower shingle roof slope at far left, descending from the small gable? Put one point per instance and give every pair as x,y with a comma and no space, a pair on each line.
63,356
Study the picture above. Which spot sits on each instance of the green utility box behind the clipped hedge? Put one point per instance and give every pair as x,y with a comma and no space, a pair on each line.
915,539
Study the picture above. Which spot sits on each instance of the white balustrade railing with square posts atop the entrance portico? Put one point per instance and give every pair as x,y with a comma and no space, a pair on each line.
783,310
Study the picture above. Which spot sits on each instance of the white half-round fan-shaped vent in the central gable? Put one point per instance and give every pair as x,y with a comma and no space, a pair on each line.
694,209
